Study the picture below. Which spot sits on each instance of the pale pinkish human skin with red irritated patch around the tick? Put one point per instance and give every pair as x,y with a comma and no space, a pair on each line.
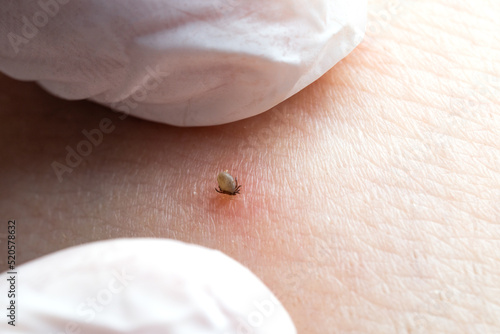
370,200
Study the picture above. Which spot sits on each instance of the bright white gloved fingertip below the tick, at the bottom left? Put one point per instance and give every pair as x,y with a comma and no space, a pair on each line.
141,286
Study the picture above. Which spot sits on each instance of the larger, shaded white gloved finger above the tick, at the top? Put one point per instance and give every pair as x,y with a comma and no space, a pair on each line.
186,63
